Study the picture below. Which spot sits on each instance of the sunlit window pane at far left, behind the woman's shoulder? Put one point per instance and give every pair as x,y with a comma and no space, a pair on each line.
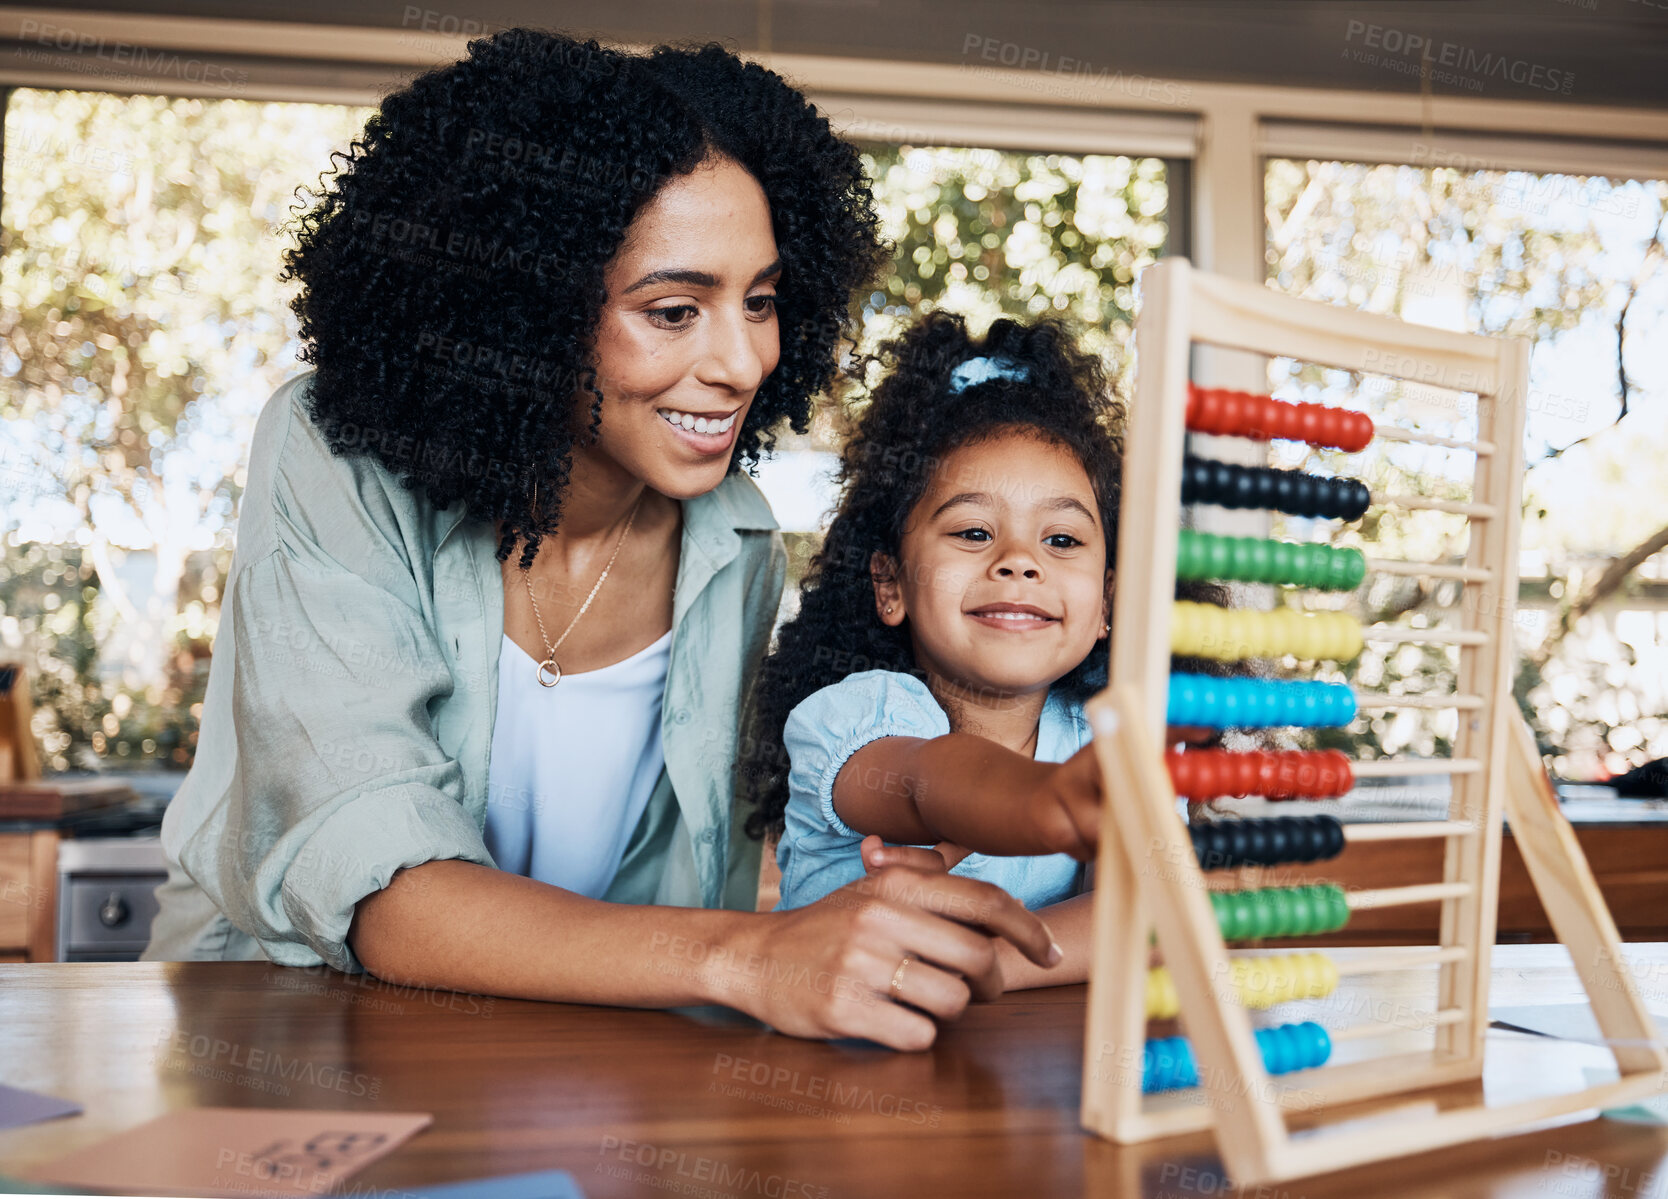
141,331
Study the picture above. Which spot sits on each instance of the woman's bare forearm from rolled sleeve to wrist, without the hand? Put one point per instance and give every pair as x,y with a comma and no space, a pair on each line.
470,928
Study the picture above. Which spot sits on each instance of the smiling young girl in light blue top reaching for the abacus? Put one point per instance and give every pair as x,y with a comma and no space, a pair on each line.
932,686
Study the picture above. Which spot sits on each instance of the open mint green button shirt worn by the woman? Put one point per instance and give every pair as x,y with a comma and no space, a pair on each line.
348,725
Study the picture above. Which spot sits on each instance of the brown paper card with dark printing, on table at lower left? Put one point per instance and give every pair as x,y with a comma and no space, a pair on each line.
251,1151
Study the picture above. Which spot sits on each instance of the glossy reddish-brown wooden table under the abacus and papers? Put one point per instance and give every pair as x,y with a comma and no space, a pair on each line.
708,1103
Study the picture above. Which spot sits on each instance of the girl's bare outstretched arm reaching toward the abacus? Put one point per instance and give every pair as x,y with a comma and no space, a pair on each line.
973,793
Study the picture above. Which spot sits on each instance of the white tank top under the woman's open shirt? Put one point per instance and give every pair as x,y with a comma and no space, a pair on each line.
573,766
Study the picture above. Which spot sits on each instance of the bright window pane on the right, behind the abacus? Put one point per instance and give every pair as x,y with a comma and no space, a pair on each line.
1564,261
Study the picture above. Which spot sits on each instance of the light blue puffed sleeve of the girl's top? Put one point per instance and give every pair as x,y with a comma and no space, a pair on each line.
820,853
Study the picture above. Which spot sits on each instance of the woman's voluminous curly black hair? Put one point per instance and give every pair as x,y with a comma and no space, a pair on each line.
453,261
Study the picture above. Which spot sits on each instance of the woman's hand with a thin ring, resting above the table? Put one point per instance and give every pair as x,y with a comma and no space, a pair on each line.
830,970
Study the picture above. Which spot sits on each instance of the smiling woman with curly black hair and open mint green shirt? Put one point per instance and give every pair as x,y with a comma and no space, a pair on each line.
501,584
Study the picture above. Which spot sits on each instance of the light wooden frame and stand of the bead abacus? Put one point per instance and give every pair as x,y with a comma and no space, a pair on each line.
1147,870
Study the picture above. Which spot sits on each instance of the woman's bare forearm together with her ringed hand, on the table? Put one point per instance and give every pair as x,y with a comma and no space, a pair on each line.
818,971
